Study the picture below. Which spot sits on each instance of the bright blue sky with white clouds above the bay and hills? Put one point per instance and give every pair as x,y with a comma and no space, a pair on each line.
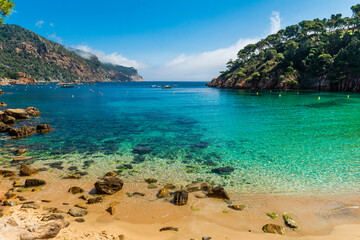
188,40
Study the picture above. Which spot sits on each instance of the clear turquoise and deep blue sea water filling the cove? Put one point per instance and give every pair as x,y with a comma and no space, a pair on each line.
288,144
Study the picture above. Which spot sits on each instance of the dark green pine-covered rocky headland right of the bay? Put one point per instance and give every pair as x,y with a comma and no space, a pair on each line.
320,54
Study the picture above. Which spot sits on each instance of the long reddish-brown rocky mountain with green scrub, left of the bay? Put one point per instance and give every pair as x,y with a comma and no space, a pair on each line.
24,51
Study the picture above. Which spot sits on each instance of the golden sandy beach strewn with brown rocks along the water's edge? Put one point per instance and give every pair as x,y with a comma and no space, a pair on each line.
139,217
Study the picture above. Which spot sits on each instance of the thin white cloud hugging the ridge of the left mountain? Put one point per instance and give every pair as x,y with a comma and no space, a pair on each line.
113,58
